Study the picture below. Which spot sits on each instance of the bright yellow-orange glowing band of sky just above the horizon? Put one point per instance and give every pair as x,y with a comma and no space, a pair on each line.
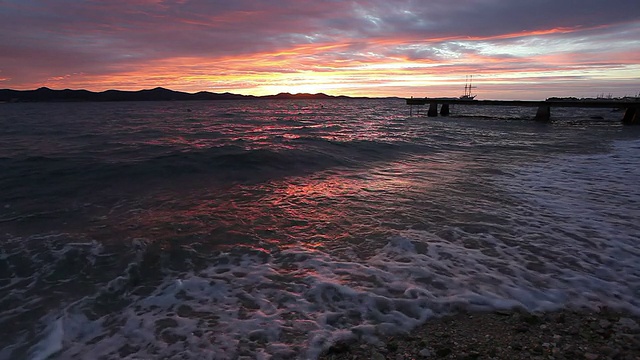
386,69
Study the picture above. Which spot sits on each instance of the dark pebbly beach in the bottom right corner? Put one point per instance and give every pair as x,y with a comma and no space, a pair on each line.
561,334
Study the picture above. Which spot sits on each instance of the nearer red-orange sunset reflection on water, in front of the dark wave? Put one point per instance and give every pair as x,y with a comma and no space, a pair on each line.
312,211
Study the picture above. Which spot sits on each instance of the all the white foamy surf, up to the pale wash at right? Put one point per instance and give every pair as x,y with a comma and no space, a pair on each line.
569,239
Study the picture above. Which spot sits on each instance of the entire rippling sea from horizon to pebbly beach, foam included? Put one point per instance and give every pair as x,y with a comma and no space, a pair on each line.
272,229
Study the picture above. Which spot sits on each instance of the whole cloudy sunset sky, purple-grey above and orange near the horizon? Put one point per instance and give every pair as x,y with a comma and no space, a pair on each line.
516,49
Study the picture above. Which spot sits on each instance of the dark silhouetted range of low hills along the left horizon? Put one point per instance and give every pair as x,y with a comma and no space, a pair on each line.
44,94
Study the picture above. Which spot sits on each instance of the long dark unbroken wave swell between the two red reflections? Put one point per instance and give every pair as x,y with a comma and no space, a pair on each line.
41,174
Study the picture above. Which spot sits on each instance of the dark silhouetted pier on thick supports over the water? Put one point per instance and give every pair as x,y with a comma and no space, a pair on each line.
543,114
